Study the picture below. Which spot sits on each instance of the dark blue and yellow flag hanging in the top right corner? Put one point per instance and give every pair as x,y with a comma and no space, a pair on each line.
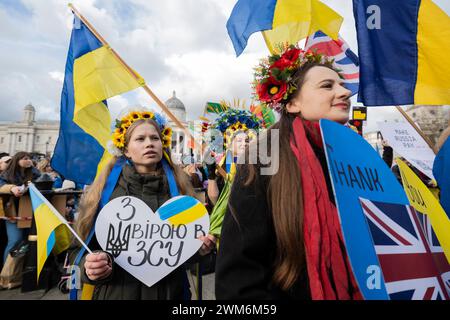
403,52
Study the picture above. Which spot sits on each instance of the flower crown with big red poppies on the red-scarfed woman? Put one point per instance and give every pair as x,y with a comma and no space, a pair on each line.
274,81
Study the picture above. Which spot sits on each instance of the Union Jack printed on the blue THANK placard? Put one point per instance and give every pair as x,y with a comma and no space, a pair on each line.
413,264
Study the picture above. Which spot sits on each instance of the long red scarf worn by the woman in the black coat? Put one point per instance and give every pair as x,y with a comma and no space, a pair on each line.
329,272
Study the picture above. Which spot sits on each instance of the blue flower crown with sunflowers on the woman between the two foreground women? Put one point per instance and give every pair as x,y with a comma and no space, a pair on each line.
234,120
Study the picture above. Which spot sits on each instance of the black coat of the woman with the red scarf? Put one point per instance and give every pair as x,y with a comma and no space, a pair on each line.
244,266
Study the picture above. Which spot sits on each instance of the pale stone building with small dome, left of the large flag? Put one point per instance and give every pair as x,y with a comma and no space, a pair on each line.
29,135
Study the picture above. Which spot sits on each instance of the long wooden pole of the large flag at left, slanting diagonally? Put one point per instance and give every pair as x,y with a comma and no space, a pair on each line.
145,87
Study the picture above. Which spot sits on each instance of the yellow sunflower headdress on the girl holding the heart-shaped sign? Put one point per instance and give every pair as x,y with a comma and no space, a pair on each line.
127,117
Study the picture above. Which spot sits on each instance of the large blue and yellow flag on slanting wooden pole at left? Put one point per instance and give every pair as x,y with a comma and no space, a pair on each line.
93,74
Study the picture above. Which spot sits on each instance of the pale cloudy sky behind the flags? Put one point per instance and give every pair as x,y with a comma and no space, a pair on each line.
179,45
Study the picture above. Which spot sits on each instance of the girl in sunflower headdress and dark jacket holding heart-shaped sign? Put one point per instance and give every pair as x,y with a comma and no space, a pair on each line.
141,168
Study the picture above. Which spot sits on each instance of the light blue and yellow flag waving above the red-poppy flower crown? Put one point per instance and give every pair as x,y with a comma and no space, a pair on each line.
282,21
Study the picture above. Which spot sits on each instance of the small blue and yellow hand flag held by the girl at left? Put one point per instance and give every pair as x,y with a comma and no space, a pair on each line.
50,227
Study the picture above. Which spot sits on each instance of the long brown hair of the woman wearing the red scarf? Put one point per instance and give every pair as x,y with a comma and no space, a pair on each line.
284,196
